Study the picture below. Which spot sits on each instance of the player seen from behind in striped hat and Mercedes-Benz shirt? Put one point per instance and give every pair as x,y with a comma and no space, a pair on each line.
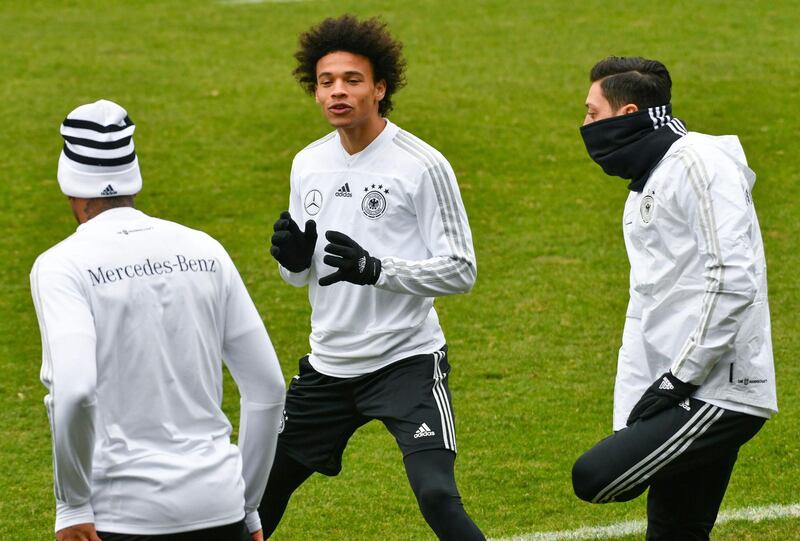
136,314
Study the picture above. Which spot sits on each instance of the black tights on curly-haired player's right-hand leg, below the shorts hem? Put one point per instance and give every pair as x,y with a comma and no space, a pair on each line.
432,479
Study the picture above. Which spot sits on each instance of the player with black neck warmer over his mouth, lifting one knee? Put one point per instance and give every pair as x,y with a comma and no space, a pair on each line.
695,376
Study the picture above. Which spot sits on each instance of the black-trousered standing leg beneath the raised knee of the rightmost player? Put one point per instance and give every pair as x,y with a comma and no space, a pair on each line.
684,505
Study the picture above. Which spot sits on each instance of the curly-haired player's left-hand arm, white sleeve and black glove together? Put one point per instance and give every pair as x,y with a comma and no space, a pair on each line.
292,248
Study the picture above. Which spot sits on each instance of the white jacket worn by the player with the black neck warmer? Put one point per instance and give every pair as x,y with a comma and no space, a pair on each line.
698,283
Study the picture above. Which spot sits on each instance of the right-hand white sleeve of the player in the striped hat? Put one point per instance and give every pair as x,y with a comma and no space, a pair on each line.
251,359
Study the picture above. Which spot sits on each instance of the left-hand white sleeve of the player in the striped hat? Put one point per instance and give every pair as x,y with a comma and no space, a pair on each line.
69,372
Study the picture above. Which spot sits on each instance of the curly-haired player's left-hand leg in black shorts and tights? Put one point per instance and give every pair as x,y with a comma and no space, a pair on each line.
319,419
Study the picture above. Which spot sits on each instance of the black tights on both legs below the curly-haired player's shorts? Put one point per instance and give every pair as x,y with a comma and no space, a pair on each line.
432,480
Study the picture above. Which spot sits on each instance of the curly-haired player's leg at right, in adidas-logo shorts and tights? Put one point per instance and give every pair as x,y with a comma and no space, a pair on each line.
413,400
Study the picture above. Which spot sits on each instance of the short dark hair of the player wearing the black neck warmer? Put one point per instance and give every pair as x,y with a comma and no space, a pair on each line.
633,79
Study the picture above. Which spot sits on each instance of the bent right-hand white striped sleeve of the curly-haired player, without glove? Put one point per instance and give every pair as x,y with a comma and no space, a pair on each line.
444,229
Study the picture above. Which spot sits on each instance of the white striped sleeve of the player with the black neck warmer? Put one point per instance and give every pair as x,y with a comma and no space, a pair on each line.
719,213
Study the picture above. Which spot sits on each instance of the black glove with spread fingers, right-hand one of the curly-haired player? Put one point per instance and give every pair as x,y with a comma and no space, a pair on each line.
354,262
